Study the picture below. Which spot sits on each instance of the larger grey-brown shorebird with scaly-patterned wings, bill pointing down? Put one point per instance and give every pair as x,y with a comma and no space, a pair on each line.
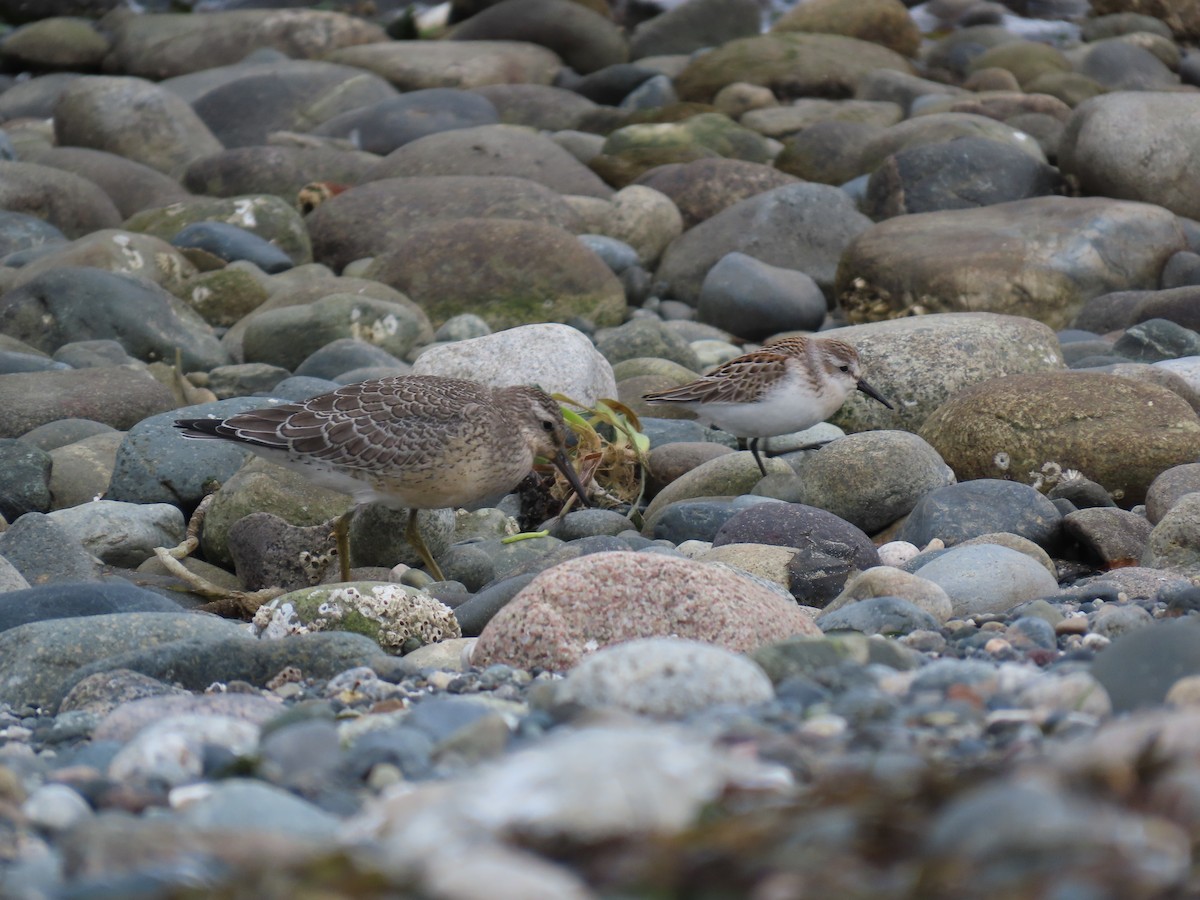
409,442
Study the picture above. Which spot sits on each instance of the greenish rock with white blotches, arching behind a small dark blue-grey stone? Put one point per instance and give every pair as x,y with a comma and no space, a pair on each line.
271,218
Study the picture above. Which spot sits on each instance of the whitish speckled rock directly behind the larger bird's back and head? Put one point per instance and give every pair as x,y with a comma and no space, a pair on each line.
557,358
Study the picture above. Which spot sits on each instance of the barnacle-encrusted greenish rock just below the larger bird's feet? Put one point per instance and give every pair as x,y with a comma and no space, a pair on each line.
386,613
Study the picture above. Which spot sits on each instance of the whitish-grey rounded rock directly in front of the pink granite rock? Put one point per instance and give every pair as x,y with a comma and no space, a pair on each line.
665,677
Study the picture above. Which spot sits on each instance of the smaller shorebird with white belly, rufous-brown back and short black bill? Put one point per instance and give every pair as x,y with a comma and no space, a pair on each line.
788,386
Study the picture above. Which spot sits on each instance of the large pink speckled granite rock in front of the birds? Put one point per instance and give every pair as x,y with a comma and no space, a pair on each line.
607,598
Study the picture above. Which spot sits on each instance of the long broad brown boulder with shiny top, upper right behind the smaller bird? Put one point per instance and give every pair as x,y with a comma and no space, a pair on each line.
1040,259
